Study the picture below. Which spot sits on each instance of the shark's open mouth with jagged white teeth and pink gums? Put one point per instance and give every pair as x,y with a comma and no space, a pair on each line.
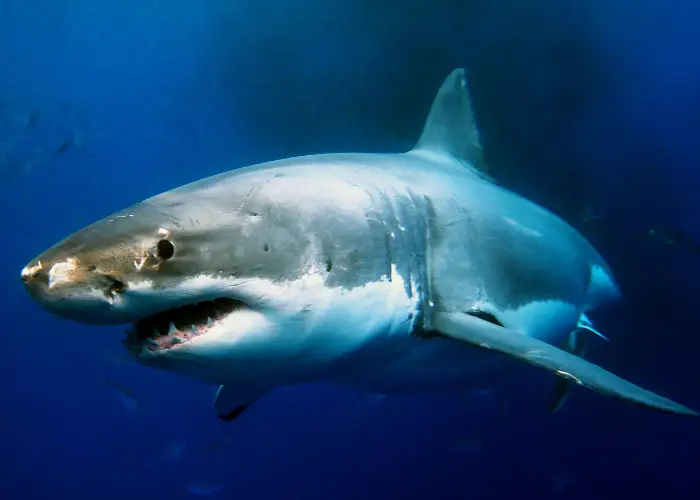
173,327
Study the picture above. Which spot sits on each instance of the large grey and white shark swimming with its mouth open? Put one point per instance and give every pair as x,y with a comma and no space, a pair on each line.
391,273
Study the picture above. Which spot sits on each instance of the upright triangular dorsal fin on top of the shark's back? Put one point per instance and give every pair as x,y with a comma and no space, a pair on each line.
450,129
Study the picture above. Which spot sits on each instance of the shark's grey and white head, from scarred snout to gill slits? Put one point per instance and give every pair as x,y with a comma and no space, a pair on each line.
247,265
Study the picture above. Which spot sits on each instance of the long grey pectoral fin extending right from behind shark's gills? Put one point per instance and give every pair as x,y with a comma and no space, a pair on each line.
483,334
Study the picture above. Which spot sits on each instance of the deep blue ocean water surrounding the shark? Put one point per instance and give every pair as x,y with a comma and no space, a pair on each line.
584,107
